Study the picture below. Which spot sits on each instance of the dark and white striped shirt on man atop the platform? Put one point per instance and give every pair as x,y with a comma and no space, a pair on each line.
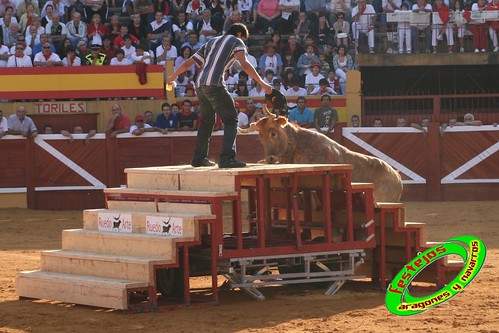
215,57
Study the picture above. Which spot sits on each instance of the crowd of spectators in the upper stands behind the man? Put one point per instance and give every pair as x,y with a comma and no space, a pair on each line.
312,60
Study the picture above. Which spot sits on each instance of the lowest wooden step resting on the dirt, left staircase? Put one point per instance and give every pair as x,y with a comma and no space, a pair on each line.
79,289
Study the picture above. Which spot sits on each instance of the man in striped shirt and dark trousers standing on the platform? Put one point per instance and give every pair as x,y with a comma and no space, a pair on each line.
214,58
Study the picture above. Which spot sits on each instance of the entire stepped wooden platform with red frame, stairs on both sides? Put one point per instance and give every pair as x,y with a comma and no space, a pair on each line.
229,217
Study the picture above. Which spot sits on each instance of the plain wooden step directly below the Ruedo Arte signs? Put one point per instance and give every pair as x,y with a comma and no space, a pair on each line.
140,245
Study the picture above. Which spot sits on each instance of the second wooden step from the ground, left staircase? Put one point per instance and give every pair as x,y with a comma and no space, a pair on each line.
101,265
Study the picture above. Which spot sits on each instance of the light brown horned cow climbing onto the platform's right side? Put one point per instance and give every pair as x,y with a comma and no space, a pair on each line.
283,142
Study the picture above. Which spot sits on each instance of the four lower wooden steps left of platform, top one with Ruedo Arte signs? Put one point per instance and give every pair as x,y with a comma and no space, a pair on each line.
107,268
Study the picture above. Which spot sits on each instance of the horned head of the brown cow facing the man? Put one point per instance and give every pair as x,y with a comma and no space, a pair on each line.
273,136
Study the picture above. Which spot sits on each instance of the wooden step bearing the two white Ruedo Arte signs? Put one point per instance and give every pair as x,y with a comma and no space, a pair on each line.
93,220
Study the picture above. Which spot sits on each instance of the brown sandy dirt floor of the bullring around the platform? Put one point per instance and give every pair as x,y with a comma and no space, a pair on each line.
357,307
